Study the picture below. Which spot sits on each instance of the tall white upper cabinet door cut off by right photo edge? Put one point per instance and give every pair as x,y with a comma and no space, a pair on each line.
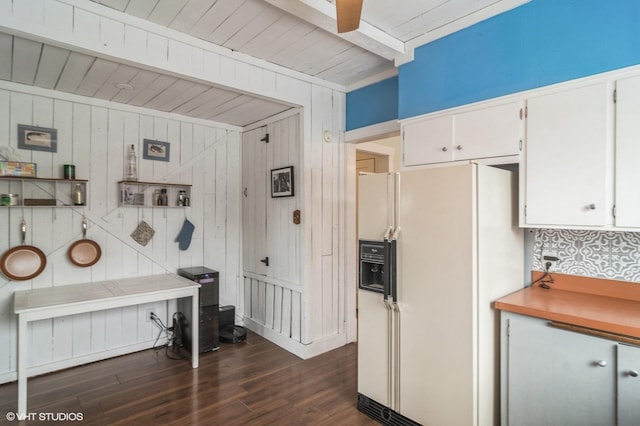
627,193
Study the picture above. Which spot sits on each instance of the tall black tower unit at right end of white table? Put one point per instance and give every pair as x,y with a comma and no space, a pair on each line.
208,313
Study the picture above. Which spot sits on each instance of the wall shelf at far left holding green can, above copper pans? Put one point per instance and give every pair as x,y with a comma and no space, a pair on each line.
40,192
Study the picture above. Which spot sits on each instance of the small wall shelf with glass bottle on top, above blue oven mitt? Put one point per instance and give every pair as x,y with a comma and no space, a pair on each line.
148,194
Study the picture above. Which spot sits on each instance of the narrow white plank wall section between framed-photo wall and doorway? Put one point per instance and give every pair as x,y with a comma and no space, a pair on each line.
328,254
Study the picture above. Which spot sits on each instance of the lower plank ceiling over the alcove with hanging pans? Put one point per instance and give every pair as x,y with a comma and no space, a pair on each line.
36,64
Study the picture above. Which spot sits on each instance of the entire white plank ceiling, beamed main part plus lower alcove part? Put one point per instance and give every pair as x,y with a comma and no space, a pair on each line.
296,34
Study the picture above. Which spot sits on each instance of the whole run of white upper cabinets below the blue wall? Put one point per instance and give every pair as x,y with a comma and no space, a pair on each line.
579,146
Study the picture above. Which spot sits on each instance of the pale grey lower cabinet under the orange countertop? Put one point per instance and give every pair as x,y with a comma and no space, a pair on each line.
551,376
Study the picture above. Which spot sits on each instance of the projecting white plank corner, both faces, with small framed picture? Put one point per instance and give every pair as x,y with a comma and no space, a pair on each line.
301,300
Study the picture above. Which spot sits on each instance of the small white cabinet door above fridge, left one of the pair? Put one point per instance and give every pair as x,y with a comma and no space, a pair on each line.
427,141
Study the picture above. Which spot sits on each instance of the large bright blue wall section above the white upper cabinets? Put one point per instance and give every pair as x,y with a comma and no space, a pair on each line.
540,43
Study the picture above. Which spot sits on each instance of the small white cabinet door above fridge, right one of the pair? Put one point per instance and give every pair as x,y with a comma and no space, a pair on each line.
495,131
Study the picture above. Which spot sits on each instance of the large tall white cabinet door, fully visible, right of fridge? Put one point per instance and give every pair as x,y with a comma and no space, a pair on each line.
566,157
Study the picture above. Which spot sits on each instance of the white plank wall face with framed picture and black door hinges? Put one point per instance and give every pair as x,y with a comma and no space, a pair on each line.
272,294
